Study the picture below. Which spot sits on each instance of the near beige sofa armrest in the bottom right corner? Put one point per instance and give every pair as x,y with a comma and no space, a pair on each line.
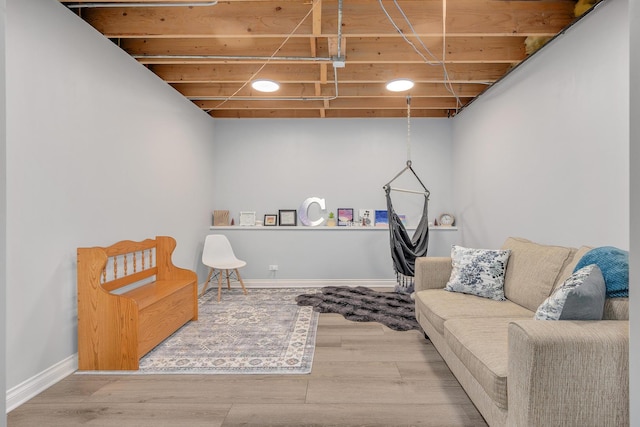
568,373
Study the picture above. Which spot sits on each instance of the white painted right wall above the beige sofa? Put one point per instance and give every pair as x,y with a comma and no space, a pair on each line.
544,153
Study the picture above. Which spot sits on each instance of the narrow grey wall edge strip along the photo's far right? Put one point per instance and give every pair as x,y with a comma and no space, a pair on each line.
634,9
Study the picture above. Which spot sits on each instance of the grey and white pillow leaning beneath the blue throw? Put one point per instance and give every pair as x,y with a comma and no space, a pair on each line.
580,297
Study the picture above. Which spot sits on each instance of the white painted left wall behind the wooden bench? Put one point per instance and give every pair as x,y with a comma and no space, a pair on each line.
98,150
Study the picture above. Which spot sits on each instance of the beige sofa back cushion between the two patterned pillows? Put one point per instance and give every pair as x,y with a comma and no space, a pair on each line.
533,270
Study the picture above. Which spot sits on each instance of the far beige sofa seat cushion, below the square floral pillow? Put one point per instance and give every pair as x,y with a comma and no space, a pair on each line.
438,306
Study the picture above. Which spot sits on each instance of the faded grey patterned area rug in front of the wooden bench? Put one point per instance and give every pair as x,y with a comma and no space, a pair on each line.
263,332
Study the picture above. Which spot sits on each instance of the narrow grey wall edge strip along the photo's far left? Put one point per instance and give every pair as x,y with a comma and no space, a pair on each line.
3,217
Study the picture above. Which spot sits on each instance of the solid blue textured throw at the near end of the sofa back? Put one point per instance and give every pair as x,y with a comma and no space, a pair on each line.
614,264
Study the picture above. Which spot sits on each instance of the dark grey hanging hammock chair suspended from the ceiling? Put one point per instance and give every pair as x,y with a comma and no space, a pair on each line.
404,248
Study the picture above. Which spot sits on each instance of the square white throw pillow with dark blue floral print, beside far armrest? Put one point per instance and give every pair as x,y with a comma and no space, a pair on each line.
478,272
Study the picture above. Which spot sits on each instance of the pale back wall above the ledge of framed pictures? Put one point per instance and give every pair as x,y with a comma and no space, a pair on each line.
271,164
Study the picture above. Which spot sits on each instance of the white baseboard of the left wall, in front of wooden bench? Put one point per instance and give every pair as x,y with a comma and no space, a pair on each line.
30,388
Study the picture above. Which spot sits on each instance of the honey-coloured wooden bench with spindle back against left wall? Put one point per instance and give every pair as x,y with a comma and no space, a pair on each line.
130,298
